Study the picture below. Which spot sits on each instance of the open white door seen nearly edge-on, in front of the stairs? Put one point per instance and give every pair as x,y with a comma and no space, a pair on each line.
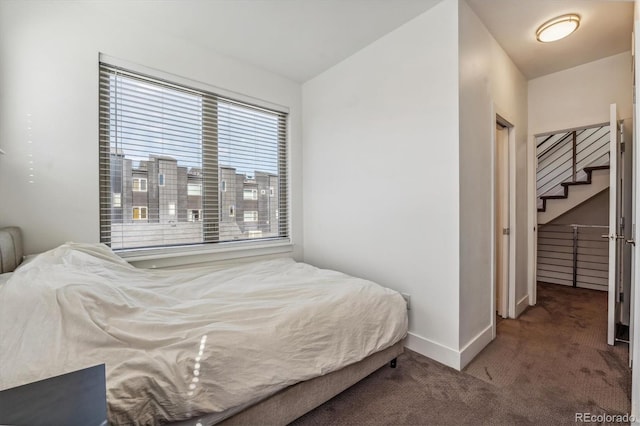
614,240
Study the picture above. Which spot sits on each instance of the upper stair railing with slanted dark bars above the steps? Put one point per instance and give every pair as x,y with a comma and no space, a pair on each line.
562,156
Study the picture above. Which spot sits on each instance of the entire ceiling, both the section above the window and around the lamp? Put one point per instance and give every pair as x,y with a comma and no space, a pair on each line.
300,39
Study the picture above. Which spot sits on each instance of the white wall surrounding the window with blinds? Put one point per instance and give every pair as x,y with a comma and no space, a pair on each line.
49,96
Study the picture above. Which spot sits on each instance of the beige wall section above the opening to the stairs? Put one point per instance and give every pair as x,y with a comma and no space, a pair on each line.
581,96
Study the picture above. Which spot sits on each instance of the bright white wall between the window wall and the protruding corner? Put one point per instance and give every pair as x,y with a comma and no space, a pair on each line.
380,171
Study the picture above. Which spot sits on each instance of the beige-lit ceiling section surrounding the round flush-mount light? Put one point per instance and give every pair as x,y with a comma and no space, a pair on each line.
605,30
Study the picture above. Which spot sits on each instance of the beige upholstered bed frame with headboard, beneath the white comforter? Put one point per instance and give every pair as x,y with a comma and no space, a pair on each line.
279,409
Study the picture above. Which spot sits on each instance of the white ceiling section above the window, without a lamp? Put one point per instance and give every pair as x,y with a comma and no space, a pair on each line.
298,39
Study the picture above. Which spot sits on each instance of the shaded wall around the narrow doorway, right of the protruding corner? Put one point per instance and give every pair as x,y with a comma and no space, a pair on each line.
490,84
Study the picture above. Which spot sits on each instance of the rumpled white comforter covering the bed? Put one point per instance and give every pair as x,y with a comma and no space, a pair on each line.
180,343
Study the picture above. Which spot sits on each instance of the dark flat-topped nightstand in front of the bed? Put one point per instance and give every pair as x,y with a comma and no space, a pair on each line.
76,398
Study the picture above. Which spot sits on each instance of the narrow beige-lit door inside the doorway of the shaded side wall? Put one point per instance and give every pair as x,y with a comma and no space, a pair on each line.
502,220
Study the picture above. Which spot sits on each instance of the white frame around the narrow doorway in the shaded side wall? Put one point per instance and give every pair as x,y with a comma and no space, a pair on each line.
498,118
